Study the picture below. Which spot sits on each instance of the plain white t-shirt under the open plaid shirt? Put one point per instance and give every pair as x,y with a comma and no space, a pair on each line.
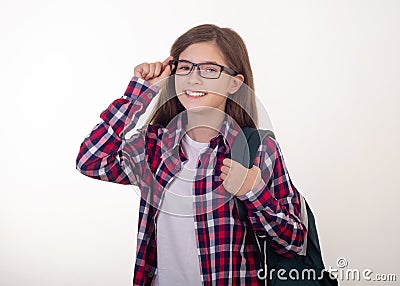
177,254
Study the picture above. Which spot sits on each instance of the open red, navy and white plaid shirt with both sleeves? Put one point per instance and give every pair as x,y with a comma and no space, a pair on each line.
153,156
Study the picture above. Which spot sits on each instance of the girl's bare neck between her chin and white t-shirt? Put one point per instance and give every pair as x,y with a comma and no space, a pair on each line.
203,125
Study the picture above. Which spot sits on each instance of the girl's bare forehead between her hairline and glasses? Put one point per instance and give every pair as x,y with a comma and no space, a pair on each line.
203,52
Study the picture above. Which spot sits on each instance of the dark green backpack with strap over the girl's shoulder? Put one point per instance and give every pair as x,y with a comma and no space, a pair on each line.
309,261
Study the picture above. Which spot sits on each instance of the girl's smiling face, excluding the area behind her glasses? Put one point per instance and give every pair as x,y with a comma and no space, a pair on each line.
195,91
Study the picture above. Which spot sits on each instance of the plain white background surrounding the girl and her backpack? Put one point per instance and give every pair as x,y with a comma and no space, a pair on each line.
327,71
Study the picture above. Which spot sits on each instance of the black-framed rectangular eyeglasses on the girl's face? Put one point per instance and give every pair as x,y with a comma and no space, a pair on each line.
205,70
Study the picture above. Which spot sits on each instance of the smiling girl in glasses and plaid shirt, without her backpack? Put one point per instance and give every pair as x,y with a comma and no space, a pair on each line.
189,232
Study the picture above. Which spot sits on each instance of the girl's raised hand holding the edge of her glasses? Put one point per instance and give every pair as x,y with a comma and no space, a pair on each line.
154,73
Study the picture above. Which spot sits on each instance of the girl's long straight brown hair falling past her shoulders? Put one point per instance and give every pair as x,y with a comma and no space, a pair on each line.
241,106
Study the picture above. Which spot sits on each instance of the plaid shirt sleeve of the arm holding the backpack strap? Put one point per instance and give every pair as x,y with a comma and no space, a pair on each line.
273,205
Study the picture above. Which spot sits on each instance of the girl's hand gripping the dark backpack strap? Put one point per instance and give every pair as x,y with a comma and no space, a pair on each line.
237,179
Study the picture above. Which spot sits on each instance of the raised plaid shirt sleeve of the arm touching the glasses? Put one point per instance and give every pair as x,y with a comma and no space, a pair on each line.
100,155
